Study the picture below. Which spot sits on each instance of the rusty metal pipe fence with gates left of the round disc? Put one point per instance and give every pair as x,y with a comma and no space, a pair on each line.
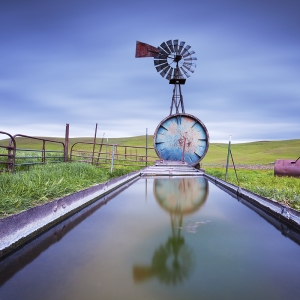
107,155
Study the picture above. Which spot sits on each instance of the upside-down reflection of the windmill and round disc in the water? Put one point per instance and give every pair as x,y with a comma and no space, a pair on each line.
173,261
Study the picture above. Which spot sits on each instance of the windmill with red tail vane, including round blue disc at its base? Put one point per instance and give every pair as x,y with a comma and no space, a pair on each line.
180,136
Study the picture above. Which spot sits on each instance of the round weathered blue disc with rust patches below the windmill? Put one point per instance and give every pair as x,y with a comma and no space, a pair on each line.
181,137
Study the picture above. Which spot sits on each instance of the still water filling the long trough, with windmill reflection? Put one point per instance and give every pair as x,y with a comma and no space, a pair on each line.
178,238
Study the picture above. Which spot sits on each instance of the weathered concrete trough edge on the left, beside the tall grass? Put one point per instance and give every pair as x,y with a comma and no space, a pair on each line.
17,229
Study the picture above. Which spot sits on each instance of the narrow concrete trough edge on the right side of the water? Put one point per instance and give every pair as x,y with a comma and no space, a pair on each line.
281,211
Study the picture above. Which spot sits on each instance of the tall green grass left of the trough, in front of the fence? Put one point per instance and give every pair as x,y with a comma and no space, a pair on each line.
43,183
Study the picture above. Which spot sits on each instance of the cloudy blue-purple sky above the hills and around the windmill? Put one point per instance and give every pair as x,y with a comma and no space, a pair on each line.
64,61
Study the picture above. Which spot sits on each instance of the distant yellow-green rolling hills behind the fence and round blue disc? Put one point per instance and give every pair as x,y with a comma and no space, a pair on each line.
262,152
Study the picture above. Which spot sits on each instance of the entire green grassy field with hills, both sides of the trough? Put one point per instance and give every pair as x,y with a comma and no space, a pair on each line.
42,183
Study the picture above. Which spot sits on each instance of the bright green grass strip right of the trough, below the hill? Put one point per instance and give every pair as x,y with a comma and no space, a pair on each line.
264,183
